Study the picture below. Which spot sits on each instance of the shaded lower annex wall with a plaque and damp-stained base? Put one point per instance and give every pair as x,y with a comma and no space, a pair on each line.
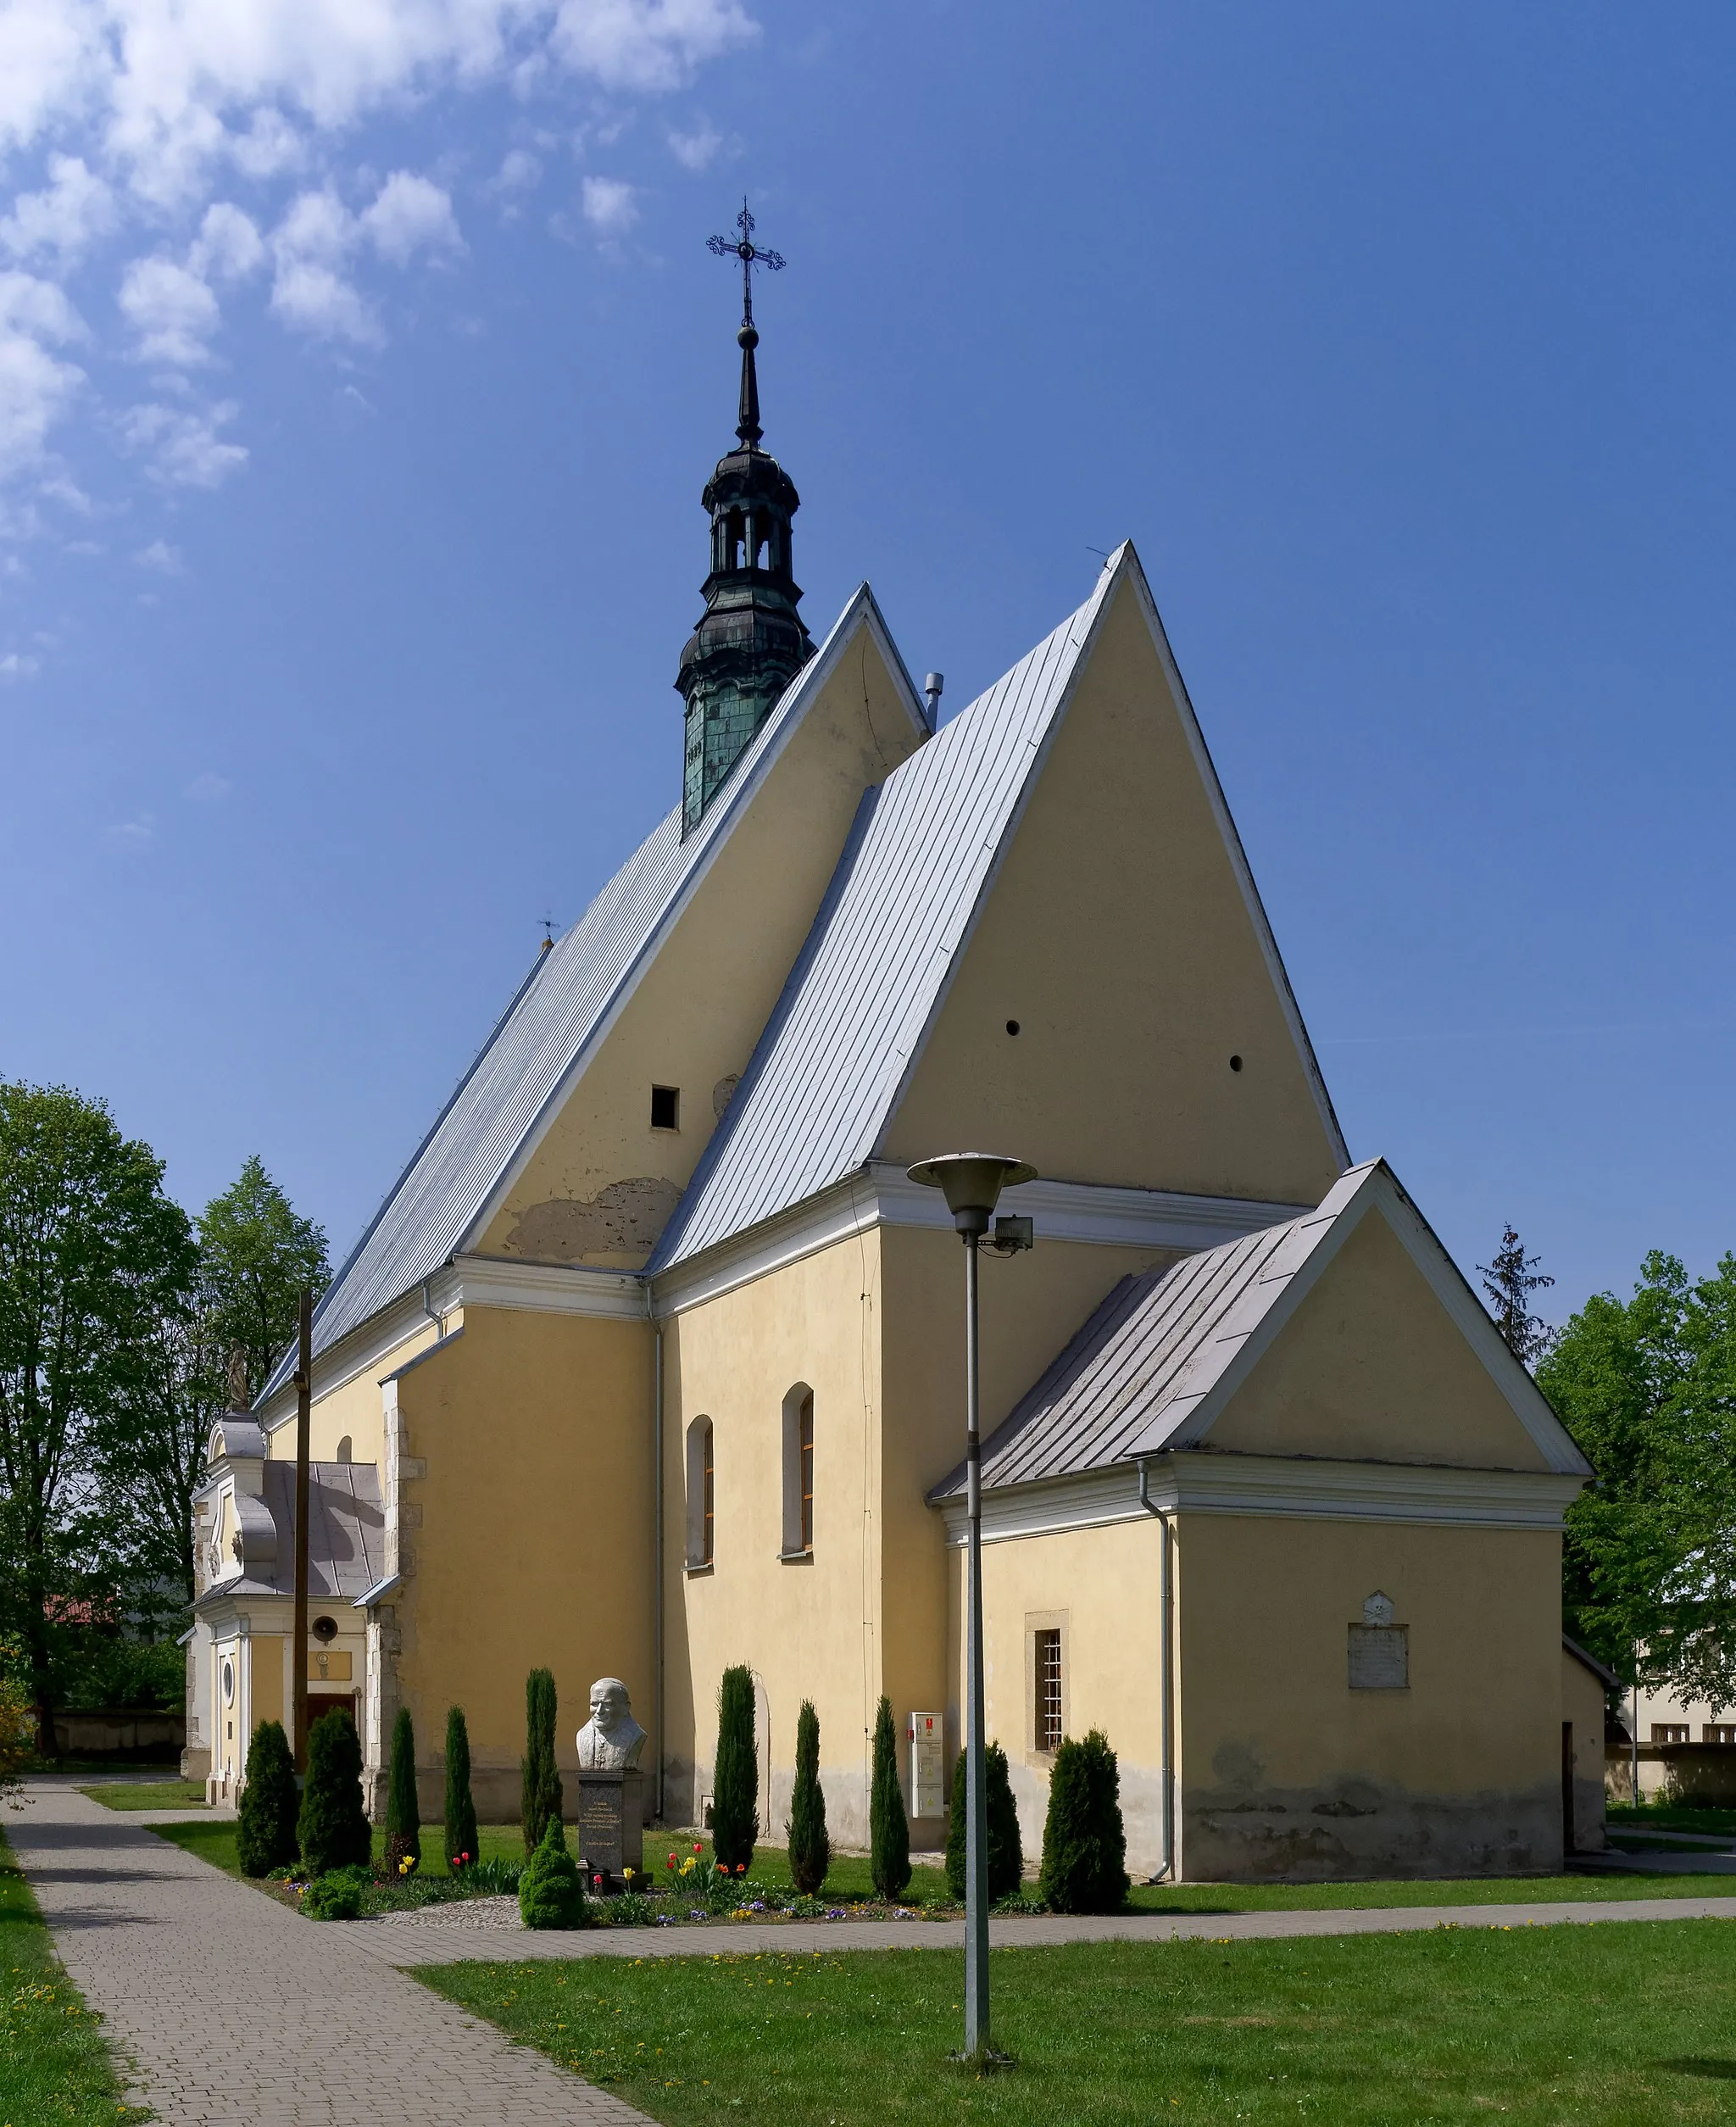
1286,1771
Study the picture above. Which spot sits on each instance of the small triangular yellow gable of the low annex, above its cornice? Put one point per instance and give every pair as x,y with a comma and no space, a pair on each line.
1373,1367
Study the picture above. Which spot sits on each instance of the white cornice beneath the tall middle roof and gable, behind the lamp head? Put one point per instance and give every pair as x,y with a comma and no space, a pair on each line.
884,1194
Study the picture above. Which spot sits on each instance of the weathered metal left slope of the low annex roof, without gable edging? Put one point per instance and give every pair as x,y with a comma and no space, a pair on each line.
1139,1369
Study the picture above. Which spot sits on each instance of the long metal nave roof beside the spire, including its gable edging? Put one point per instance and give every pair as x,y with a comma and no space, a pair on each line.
558,1014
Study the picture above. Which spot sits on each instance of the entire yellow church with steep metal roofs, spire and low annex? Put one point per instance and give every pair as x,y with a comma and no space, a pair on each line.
652,1360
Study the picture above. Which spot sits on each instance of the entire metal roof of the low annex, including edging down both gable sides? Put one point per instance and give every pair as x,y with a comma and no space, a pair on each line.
1156,1362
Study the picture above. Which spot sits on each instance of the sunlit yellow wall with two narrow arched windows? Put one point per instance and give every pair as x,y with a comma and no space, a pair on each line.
807,1630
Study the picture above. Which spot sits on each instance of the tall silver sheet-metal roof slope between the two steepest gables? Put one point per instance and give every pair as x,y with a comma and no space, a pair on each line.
852,1018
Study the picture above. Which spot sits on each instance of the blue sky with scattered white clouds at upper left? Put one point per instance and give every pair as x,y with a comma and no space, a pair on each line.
361,369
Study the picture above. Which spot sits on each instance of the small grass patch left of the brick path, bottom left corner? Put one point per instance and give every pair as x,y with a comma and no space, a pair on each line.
54,2064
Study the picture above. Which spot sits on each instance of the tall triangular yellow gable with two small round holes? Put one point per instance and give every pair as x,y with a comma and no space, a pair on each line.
1120,941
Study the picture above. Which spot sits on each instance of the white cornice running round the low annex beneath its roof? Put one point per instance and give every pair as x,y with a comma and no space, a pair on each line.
1275,1486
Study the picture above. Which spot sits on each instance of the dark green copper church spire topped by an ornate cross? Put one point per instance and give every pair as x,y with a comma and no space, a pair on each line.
750,641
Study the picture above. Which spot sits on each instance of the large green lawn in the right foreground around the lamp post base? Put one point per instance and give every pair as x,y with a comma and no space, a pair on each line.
1558,2028
